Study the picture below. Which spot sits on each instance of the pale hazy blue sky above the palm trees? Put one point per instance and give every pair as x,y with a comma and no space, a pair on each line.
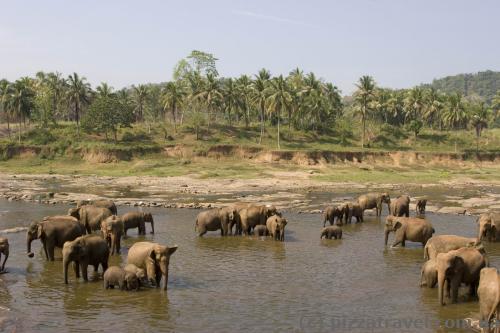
400,43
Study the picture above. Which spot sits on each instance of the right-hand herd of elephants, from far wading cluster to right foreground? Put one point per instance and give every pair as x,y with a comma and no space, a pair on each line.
451,260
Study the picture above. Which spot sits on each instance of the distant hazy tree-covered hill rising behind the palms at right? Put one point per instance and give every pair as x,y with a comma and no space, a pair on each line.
484,84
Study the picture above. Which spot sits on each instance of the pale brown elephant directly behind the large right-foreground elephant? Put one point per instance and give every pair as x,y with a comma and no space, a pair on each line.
445,243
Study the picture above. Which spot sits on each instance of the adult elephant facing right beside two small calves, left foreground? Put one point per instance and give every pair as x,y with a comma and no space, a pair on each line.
153,258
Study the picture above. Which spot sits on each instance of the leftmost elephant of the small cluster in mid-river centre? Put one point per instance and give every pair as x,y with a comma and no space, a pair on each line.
215,219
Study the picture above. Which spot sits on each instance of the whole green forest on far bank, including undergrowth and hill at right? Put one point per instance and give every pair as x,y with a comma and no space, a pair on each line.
198,101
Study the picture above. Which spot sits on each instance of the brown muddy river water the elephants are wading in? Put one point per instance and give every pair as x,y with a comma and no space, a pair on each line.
234,283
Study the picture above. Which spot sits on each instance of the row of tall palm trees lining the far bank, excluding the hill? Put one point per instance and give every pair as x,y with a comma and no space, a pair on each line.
198,97
